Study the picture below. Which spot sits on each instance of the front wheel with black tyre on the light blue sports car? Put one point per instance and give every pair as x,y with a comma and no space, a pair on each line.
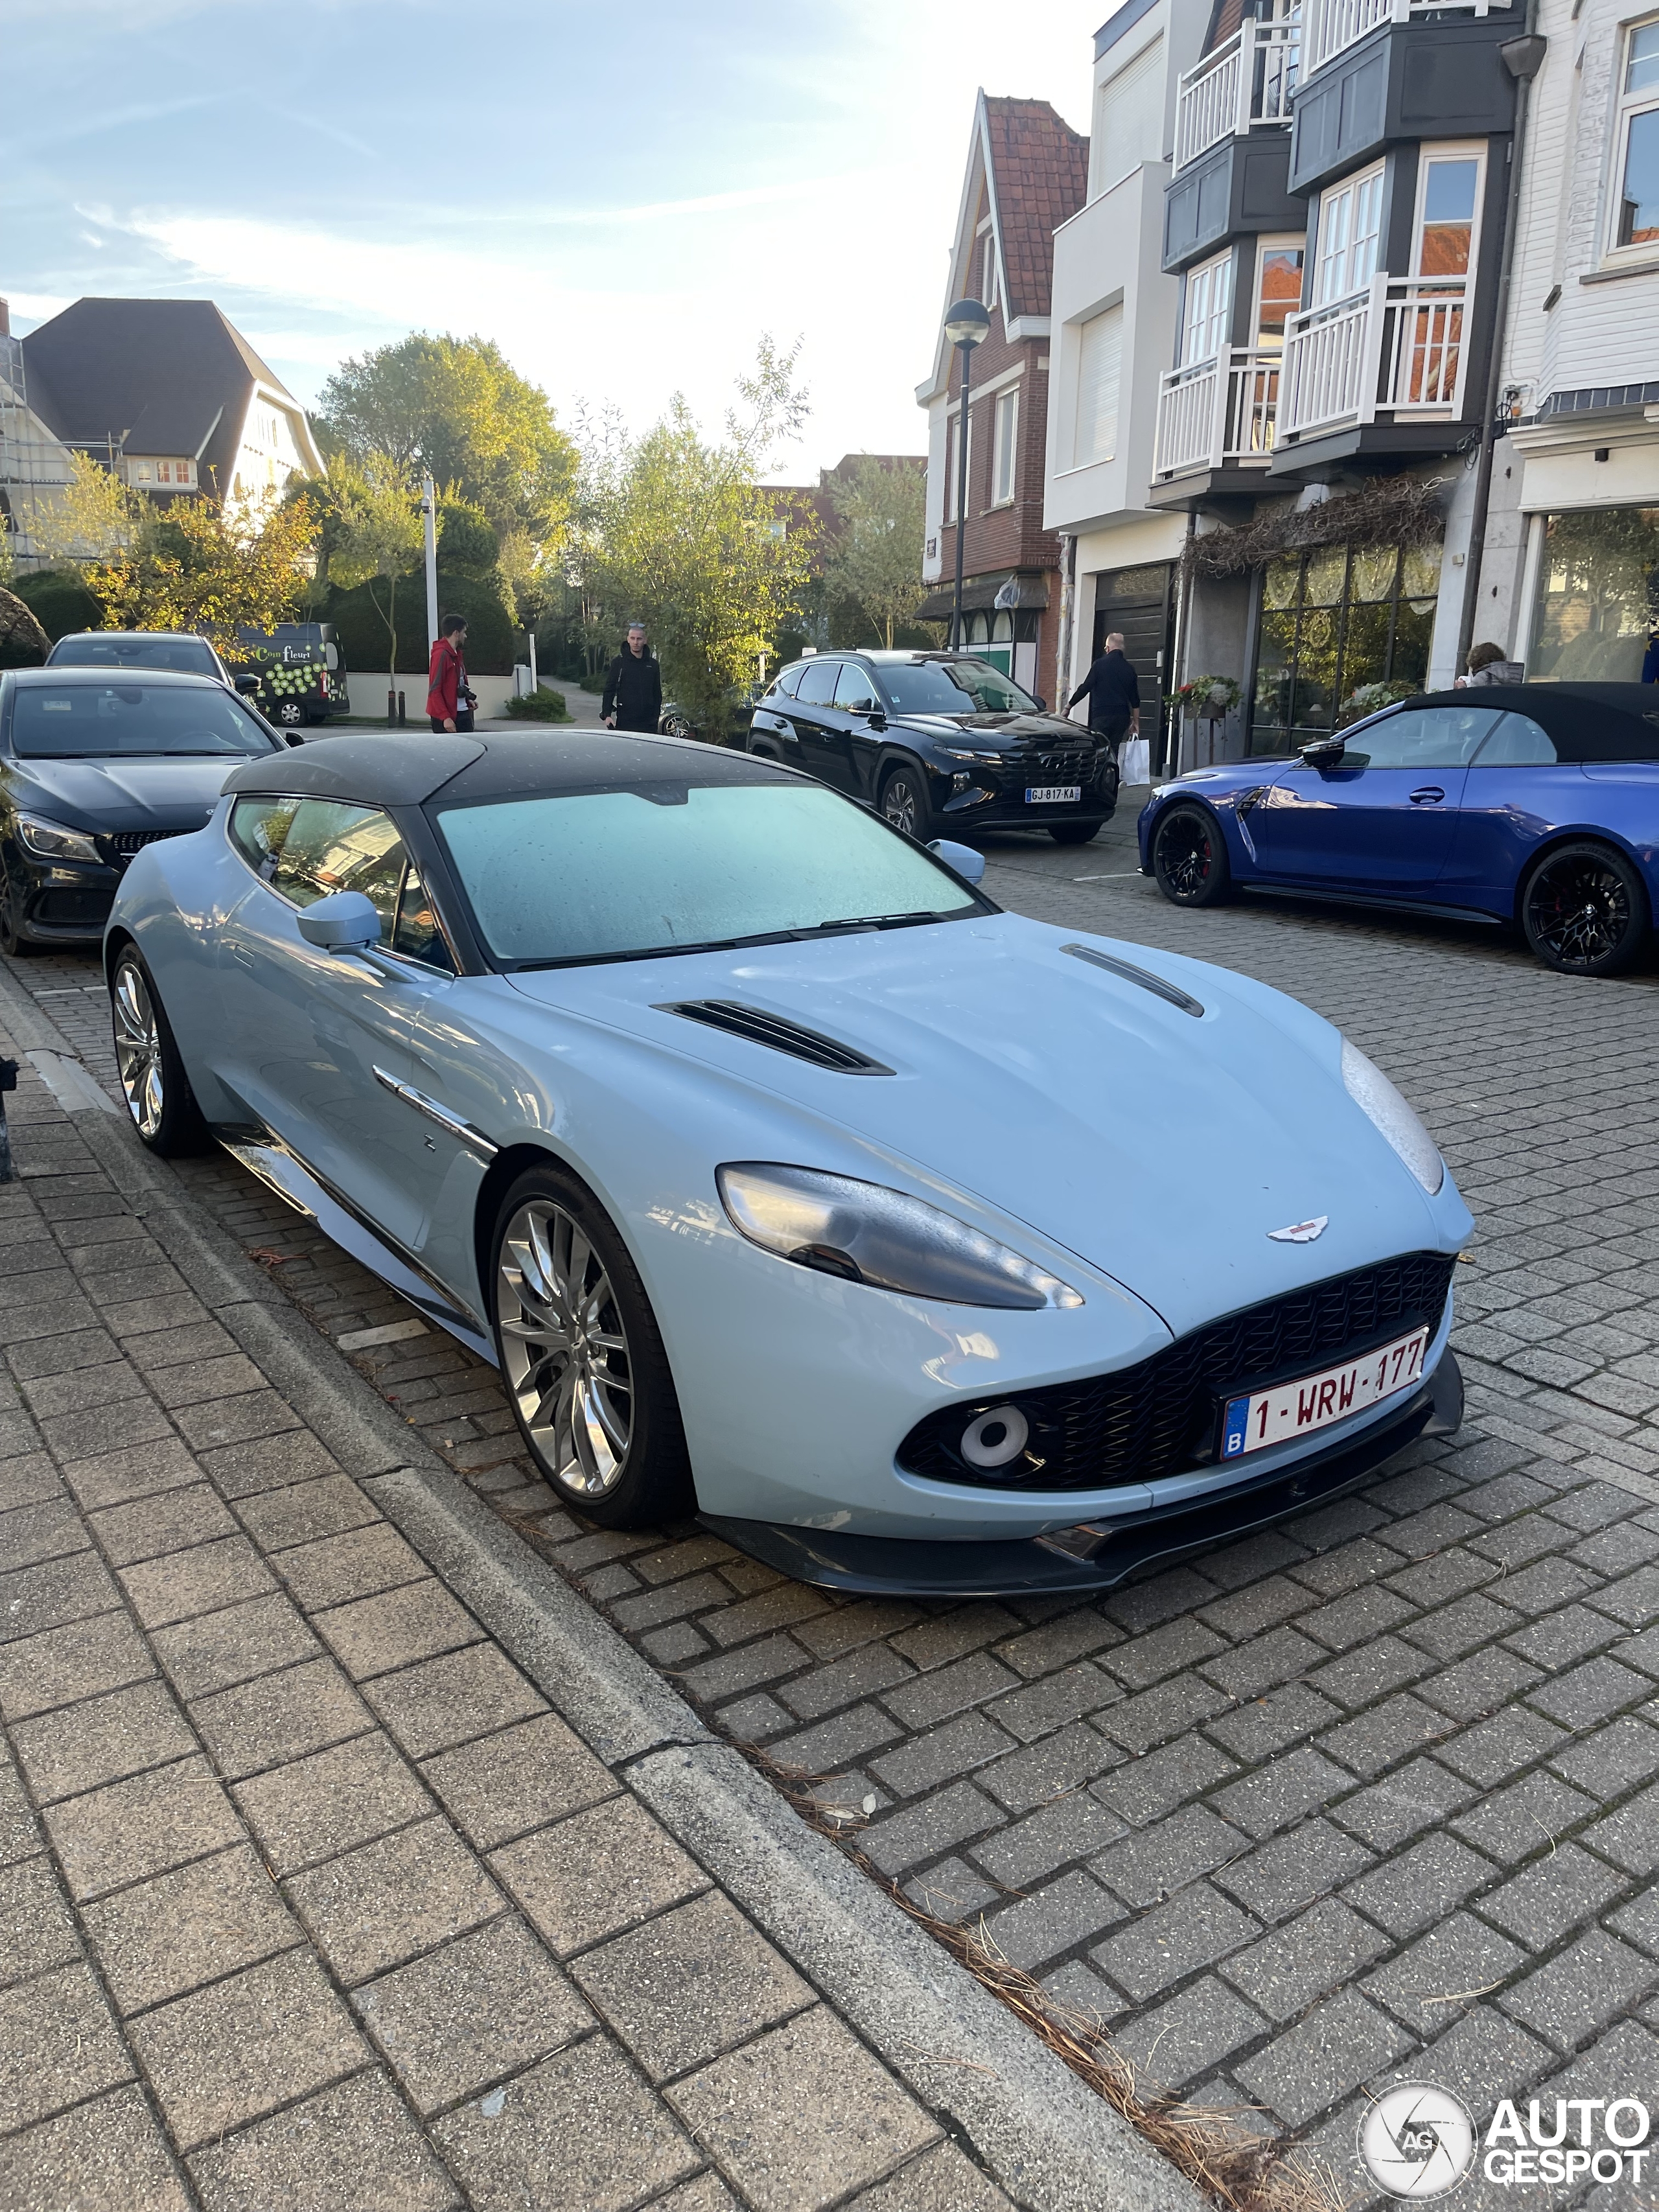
583,1357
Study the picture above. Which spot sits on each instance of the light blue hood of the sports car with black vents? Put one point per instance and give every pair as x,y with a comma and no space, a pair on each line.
1162,1149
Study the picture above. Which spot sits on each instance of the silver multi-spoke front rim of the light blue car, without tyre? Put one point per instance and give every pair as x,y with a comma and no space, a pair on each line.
565,1348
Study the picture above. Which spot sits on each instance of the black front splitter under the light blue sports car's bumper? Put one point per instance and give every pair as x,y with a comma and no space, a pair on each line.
1107,1552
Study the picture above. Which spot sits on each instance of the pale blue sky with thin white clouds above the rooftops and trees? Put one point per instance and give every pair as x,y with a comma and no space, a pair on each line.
623,196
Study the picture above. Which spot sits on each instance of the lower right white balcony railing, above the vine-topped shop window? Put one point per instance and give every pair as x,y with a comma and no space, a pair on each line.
1395,348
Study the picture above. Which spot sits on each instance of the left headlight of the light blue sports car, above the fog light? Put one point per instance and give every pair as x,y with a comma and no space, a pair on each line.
873,1235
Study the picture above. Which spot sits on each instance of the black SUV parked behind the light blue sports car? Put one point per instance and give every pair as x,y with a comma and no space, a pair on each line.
941,742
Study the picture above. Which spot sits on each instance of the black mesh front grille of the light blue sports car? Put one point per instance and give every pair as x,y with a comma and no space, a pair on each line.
1162,1415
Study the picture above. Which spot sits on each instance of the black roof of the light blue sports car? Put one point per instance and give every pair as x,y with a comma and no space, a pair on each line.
410,769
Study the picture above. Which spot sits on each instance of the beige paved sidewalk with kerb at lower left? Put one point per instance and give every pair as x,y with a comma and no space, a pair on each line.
342,1881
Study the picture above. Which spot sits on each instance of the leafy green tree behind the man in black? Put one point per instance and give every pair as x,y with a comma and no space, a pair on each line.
680,532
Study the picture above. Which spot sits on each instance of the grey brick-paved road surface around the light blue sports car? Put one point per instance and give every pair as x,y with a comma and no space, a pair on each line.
1370,1797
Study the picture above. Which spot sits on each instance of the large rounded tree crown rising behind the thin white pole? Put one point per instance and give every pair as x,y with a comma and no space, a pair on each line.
457,408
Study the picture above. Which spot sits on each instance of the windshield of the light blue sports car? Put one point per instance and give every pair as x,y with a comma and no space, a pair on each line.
674,868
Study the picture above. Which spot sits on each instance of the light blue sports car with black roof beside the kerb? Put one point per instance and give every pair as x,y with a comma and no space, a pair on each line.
912,1244
